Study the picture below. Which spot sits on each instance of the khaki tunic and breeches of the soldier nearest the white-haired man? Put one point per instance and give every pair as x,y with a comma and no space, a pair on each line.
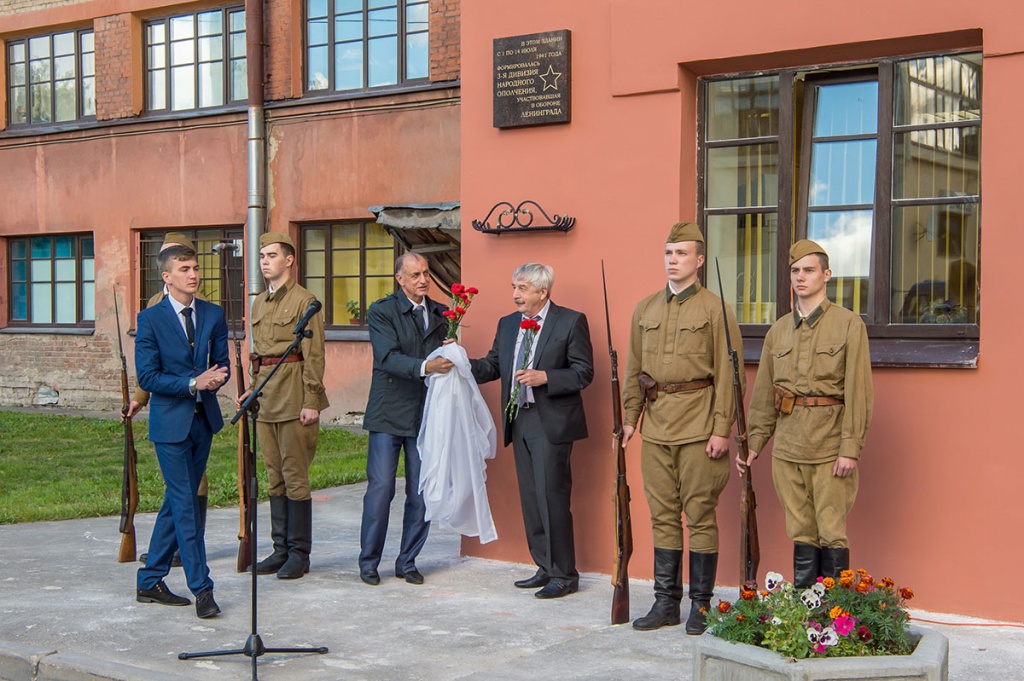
677,339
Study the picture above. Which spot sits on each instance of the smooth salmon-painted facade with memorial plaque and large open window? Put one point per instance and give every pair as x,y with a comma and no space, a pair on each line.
884,132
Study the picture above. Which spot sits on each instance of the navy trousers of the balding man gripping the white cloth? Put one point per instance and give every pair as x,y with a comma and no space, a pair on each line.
382,466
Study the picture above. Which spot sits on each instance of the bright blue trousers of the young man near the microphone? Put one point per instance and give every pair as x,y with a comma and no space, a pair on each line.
178,527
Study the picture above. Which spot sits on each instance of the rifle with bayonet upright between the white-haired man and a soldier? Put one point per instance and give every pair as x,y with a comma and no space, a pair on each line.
621,496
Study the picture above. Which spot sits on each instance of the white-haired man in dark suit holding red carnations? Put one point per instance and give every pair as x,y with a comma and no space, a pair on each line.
551,417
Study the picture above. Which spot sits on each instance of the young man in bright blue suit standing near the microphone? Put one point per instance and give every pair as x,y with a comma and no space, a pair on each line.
182,360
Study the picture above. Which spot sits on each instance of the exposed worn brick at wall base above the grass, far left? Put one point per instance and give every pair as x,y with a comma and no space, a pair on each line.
84,371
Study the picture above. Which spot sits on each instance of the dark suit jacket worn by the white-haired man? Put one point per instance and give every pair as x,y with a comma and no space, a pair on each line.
565,352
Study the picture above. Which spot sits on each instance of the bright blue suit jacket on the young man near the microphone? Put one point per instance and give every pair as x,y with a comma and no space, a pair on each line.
164,364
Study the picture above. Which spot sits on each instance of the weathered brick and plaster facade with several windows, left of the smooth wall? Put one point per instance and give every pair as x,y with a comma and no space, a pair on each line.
124,121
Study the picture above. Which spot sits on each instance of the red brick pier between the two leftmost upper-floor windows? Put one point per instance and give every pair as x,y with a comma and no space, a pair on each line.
115,68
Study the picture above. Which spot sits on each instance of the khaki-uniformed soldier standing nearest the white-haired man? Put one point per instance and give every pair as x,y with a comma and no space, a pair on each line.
679,376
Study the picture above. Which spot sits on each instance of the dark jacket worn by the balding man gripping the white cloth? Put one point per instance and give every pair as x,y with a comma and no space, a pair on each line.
400,344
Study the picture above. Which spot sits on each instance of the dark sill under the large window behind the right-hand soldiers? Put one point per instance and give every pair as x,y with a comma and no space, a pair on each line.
917,353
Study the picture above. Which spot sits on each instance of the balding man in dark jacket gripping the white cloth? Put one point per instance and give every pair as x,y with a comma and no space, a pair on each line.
405,328
